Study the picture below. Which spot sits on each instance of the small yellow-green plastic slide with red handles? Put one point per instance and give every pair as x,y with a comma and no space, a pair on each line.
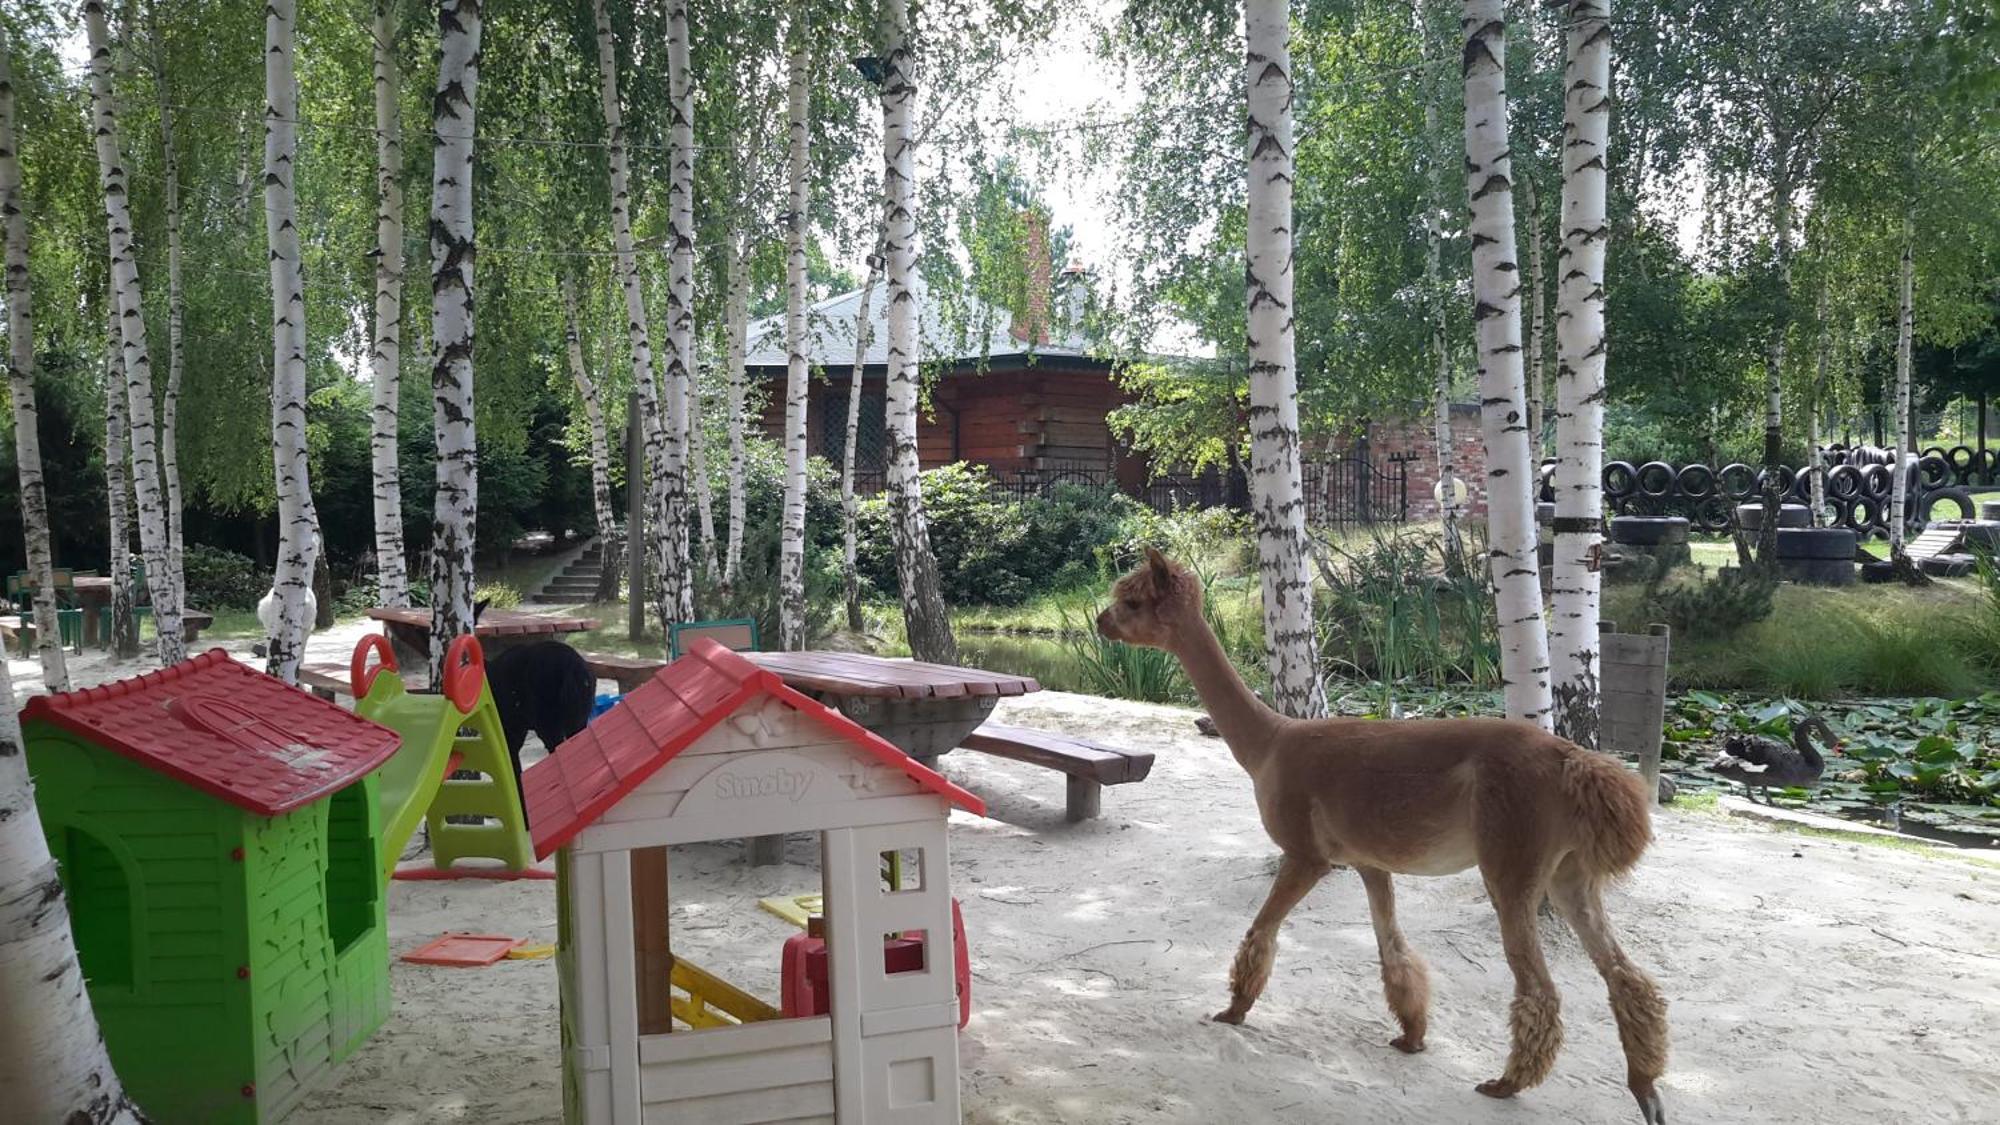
443,734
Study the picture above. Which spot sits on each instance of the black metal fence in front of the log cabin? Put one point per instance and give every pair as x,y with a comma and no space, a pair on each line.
1339,493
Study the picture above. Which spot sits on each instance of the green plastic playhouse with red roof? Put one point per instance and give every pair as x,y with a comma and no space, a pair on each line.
219,842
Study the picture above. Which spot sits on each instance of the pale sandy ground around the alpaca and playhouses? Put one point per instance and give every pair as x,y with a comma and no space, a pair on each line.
1811,980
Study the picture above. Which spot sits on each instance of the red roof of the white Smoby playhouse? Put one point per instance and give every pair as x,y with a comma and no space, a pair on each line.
629,744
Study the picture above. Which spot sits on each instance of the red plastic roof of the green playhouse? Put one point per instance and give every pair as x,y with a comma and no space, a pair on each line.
225,730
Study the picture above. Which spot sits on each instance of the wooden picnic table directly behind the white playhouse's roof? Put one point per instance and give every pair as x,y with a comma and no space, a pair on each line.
925,710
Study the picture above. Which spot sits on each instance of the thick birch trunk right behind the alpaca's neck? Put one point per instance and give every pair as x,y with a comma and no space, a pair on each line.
1277,493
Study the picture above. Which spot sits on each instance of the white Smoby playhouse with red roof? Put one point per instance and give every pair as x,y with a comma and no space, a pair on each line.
717,750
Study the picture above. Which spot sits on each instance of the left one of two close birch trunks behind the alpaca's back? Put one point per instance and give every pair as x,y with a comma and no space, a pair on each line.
1497,319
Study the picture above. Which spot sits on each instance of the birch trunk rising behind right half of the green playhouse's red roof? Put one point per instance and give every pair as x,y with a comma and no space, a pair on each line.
297,545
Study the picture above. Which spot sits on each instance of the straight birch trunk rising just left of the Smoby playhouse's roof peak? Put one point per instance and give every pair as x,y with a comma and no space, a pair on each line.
677,574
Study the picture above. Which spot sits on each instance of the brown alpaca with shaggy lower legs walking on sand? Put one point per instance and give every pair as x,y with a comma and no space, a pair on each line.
1539,816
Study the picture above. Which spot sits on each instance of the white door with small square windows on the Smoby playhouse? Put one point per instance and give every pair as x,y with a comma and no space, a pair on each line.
905,1070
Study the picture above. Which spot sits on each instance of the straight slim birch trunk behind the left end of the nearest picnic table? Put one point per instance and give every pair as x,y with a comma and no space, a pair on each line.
793,529
